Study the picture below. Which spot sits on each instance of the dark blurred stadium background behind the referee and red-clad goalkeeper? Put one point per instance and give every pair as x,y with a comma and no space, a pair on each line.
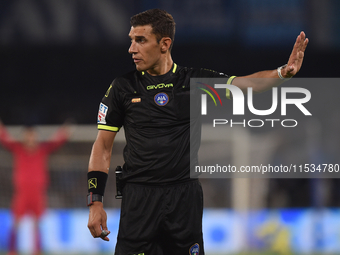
58,58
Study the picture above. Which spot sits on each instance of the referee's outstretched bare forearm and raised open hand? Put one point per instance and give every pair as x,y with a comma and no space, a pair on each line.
270,78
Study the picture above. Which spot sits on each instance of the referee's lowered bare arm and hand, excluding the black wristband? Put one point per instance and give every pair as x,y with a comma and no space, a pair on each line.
100,162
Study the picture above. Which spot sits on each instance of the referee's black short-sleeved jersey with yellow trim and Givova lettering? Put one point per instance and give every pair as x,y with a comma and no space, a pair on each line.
155,113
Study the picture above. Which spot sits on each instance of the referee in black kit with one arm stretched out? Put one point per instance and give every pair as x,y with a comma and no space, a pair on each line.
161,212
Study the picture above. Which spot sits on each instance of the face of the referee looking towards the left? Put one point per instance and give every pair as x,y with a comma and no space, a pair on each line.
145,50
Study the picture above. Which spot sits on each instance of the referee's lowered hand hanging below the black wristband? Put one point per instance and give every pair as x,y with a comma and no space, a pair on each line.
97,221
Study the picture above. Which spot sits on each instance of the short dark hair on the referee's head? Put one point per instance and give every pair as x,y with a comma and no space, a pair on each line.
162,23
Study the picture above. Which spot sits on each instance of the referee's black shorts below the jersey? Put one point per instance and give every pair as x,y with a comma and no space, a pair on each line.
161,220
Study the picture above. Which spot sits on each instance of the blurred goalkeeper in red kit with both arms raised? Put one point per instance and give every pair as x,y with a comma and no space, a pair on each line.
30,177
